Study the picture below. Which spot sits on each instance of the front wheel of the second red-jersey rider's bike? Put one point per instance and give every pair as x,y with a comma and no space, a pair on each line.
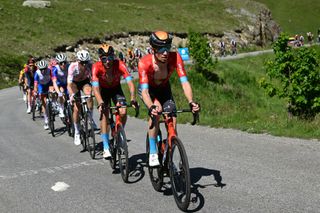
122,151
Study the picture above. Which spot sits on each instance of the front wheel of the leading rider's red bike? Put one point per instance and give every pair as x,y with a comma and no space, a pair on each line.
179,174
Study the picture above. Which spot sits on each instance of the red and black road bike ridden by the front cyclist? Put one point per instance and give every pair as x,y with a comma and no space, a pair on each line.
173,161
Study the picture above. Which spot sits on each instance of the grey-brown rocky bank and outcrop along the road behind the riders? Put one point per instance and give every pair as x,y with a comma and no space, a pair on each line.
254,30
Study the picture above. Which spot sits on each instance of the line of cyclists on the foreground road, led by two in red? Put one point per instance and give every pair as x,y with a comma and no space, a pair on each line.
102,80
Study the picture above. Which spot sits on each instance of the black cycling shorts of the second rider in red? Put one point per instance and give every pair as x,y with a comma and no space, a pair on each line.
115,94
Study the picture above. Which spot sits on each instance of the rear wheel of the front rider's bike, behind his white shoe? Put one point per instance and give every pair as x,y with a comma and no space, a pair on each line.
155,173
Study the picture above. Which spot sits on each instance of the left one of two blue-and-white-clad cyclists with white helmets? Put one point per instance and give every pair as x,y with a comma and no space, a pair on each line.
42,82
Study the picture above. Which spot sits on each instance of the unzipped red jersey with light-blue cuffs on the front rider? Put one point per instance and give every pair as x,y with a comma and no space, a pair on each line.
147,71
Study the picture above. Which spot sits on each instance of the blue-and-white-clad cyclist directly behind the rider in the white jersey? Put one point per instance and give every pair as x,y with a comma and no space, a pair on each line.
59,79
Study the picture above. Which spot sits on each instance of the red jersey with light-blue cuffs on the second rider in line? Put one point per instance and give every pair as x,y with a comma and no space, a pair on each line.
100,78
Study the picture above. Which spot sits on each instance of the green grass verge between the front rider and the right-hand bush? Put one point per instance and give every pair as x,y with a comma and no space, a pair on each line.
239,102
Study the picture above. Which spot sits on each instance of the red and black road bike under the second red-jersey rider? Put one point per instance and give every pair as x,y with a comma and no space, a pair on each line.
118,144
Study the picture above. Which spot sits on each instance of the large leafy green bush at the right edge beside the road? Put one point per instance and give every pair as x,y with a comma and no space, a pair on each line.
298,71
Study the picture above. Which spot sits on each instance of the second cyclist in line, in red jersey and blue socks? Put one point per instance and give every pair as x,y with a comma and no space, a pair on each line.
106,76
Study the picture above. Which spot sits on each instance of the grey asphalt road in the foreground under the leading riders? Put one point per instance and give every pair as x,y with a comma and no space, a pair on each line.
231,171
